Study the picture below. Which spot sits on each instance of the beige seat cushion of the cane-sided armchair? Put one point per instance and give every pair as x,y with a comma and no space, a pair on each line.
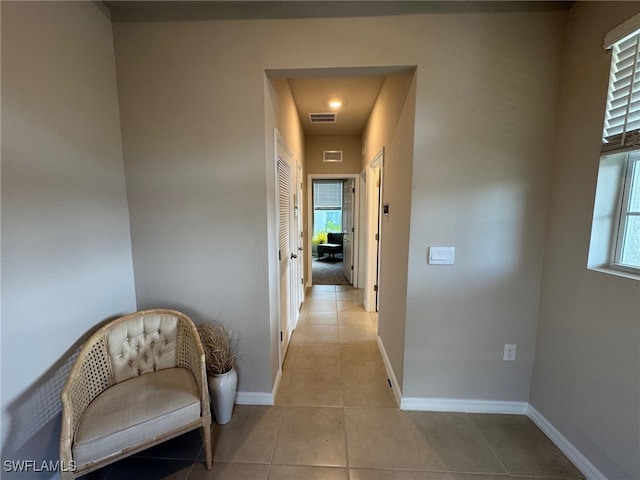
136,411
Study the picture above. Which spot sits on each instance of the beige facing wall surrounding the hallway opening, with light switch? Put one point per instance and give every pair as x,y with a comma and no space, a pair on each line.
194,142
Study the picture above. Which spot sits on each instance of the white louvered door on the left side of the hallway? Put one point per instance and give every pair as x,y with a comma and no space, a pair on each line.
285,251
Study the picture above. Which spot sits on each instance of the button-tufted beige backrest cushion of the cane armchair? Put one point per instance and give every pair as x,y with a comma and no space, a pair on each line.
142,344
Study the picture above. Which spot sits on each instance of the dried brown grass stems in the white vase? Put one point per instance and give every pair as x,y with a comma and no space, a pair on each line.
218,344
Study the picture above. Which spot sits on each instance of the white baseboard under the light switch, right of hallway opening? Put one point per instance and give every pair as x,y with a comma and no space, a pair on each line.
463,406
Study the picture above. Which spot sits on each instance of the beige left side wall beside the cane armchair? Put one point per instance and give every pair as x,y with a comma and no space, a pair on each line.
66,252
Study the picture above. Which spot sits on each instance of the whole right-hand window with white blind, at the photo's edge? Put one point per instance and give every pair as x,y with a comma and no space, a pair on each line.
615,233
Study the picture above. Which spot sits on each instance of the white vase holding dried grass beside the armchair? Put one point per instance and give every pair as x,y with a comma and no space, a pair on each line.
220,359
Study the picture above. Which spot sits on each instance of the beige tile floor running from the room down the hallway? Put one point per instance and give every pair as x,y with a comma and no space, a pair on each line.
336,418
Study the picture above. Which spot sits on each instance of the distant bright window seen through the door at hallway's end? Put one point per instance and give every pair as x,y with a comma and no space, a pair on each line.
327,208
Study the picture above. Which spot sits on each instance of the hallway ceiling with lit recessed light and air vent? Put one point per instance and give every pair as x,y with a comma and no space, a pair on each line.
357,94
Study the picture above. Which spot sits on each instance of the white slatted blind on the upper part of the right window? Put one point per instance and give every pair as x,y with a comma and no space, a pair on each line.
622,119
